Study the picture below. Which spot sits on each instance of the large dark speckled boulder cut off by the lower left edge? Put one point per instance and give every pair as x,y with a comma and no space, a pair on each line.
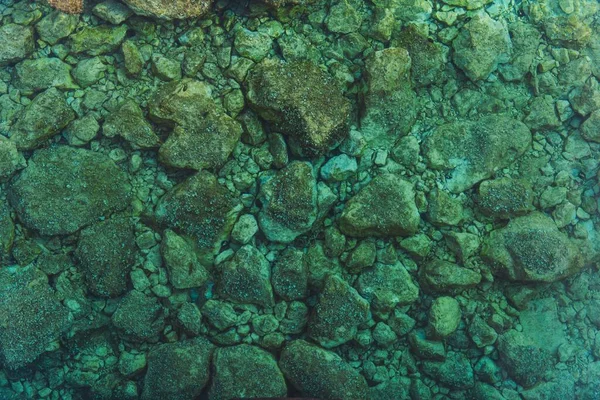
31,317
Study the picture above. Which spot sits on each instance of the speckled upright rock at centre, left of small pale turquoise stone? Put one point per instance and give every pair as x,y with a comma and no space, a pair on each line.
289,203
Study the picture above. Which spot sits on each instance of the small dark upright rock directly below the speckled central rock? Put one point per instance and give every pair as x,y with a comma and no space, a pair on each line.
290,275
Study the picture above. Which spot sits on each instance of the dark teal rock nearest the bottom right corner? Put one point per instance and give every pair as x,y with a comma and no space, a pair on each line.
524,362
